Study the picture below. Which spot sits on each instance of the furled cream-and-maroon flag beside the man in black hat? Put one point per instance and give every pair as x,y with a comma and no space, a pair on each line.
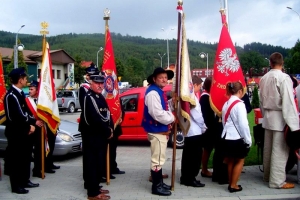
183,83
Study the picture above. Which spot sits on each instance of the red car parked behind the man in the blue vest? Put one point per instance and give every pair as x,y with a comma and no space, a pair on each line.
133,105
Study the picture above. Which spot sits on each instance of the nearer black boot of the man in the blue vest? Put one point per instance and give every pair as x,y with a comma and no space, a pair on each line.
157,184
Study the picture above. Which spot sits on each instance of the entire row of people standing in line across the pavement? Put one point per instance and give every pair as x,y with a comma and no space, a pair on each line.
228,134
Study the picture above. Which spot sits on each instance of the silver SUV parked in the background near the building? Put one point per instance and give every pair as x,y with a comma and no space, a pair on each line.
68,100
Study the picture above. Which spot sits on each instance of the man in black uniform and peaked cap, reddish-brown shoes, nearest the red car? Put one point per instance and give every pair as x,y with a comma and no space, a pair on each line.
97,127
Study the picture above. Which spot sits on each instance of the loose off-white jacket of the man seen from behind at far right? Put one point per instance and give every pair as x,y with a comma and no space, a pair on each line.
277,102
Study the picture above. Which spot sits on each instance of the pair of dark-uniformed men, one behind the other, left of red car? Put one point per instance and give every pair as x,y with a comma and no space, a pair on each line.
97,130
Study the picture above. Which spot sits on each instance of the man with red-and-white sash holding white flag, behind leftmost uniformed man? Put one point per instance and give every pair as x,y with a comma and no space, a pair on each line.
36,136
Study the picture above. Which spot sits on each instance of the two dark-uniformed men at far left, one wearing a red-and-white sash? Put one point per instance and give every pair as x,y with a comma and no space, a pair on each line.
23,132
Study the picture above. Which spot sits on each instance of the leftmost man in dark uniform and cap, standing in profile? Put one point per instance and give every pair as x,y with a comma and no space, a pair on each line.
19,125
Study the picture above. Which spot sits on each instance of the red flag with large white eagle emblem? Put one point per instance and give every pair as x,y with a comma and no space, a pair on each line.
227,68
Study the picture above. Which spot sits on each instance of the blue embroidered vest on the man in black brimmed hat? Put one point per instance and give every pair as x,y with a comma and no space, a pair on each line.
149,124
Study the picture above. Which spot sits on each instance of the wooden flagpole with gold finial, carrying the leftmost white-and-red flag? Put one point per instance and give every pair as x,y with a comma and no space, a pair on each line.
44,31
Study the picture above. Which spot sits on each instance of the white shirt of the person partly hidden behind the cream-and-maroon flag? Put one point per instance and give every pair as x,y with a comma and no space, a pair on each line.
197,126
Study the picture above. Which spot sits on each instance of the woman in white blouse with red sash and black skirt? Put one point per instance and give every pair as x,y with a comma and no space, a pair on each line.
236,134
